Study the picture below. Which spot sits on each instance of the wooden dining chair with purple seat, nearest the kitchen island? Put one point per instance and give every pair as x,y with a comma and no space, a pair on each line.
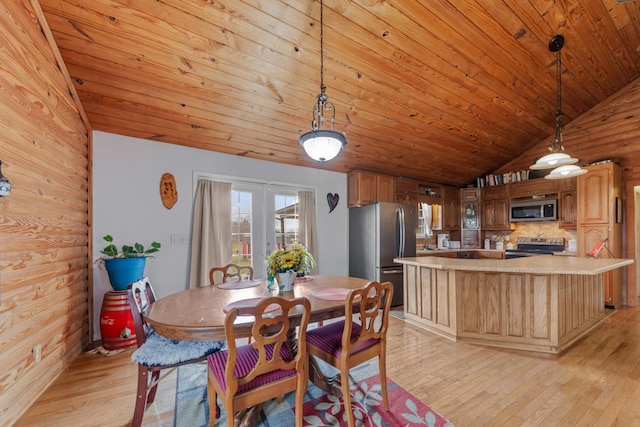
361,336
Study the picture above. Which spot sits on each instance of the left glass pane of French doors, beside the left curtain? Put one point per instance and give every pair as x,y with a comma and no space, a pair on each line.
241,220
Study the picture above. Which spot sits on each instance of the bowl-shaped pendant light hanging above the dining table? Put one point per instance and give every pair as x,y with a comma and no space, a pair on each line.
322,144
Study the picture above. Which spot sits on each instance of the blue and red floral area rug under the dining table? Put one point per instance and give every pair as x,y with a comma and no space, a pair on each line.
319,409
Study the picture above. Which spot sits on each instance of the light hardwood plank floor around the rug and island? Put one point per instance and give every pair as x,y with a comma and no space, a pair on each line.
594,383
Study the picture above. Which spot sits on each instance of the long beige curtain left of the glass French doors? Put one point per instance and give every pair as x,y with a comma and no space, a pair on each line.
211,230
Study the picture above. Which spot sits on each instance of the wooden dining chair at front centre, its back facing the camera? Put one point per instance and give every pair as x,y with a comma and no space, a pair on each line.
274,364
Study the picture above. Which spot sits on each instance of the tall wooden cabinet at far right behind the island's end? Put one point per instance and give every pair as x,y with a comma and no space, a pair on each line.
598,199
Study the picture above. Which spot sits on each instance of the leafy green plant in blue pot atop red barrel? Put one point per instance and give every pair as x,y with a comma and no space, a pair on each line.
126,265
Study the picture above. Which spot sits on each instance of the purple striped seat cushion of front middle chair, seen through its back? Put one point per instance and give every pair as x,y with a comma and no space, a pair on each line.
247,357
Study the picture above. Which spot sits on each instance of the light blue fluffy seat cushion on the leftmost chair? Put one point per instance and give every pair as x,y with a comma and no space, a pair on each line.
161,351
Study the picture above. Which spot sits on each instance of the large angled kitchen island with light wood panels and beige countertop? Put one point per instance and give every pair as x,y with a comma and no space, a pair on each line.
543,303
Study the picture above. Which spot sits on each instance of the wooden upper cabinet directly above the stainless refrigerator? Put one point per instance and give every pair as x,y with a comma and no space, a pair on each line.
365,188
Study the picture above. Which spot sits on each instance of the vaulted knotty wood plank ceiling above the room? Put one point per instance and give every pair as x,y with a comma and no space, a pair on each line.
440,91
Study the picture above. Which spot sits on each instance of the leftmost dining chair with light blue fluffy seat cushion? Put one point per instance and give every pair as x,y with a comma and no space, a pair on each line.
156,353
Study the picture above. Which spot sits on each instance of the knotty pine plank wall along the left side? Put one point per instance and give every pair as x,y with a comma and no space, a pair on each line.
44,239
